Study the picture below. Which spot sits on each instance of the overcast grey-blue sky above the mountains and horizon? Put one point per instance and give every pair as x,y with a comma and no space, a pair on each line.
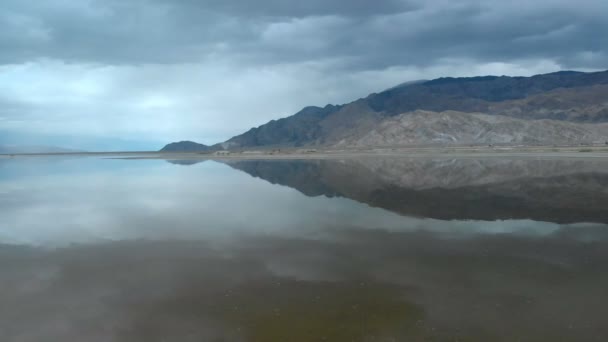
137,74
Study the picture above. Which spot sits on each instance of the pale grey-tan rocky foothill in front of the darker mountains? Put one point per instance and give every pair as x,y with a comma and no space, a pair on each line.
450,127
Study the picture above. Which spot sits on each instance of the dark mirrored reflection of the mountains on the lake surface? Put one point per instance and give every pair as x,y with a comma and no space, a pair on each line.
562,191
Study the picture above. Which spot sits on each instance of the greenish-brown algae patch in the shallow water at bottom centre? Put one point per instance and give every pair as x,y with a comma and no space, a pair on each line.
301,311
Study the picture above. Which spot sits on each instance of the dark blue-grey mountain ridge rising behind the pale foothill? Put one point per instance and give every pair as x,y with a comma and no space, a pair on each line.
564,96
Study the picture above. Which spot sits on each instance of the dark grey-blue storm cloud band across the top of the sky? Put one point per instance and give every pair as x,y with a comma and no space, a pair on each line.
362,34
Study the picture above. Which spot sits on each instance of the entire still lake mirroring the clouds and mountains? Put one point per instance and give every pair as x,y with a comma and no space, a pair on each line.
314,250
